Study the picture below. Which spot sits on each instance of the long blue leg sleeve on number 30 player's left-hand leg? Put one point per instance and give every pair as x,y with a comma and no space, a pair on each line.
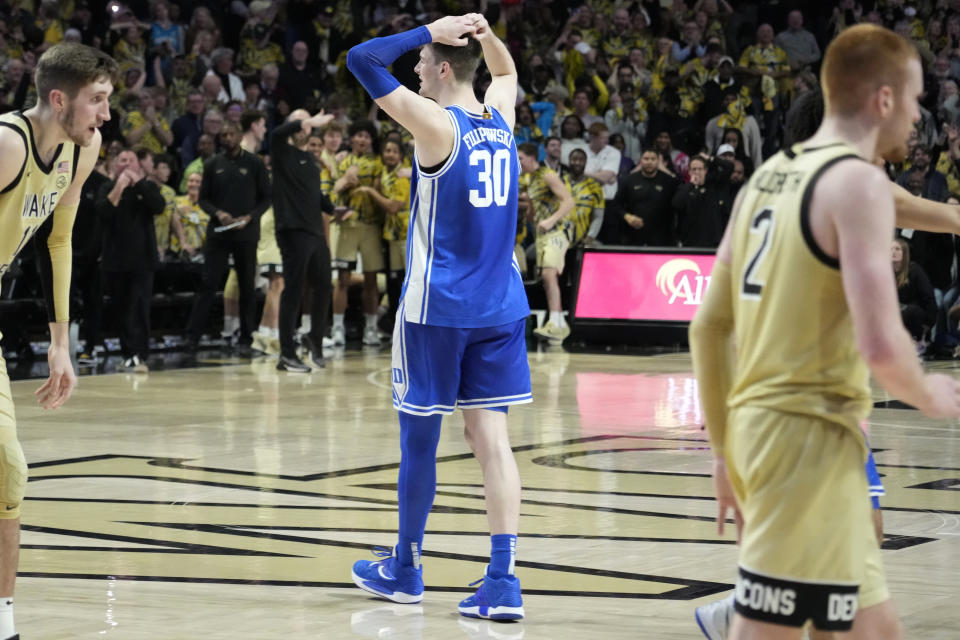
416,482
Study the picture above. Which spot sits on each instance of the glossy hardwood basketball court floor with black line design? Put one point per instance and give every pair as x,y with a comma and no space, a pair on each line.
230,502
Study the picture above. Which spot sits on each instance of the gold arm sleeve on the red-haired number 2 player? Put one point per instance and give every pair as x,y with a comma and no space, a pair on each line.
710,334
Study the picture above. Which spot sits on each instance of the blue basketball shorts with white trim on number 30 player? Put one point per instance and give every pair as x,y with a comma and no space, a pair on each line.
439,369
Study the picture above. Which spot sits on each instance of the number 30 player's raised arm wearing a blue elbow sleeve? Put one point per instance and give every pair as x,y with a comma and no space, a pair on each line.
422,117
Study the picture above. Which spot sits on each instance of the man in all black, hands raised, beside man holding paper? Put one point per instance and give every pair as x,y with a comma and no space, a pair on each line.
298,205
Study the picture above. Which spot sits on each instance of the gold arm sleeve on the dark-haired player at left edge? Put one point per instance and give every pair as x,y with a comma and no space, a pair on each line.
56,263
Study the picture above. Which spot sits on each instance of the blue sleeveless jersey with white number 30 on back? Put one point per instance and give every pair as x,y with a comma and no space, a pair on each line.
461,269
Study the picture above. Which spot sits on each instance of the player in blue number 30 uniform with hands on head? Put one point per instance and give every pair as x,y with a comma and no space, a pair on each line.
459,335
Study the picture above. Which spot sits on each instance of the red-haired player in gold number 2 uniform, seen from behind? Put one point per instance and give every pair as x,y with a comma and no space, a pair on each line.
783,414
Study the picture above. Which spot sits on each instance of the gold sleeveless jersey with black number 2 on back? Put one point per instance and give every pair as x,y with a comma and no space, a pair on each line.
796,351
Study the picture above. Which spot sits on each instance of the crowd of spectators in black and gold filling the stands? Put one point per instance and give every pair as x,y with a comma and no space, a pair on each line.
673,103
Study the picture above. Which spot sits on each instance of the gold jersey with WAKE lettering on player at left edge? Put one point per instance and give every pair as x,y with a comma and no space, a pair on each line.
31,198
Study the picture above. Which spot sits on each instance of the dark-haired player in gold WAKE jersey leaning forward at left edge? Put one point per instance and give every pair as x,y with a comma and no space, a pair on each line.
48,151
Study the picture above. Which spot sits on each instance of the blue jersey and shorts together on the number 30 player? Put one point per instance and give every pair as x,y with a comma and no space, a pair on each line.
459,337
